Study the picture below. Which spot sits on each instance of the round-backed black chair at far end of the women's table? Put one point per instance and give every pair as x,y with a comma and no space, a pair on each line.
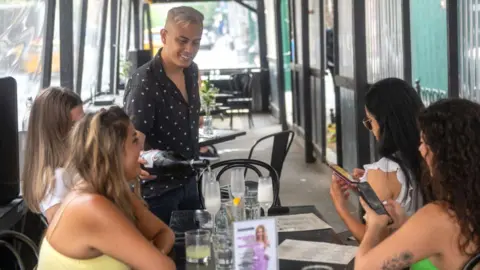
251,164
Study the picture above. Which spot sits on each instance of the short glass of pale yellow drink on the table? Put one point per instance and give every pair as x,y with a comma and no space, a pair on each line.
197,246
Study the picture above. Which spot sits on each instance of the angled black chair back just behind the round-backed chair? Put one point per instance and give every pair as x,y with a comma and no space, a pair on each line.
281,145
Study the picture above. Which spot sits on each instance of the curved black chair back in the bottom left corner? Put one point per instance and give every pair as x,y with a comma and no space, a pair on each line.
6,238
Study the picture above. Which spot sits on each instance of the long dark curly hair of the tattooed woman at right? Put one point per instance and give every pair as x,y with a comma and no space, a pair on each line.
451,130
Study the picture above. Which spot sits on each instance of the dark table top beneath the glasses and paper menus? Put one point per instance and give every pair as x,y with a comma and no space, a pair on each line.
185,220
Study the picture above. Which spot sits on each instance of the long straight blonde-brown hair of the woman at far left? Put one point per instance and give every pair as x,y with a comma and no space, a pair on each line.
48,128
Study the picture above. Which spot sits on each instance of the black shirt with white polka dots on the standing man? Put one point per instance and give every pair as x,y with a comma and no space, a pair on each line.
158,110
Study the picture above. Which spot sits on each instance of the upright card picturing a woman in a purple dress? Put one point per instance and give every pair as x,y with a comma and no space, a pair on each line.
255,244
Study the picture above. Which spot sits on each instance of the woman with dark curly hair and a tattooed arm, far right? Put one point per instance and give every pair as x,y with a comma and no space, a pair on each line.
447,230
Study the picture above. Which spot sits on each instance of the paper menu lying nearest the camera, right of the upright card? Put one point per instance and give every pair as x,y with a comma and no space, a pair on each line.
322,252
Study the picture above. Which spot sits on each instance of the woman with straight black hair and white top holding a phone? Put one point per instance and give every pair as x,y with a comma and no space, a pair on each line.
391,108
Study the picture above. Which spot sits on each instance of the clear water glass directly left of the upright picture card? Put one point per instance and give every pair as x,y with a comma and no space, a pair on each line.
222,251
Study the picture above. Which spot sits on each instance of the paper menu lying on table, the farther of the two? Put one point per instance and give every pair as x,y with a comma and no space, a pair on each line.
300,222
